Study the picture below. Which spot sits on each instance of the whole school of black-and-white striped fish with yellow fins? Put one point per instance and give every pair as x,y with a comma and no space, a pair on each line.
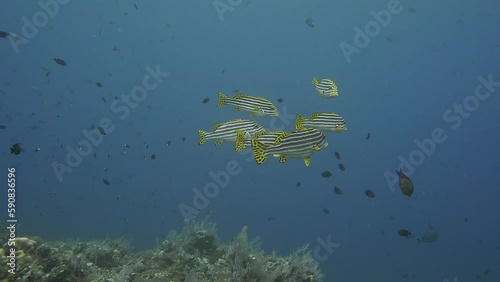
307,139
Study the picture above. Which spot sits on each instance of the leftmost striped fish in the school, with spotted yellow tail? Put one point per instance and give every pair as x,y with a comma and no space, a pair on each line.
227,131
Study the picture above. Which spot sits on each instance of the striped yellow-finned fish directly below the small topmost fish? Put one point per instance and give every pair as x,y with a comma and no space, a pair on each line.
326,122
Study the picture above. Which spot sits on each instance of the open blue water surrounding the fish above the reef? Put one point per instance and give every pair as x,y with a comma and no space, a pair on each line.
399,87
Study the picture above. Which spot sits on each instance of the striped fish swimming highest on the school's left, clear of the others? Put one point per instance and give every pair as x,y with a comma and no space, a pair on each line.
256,106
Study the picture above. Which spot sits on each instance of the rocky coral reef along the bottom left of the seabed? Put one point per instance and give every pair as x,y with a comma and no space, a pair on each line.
193,255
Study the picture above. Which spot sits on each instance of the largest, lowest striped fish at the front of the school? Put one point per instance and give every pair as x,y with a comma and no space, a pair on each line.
300,144
